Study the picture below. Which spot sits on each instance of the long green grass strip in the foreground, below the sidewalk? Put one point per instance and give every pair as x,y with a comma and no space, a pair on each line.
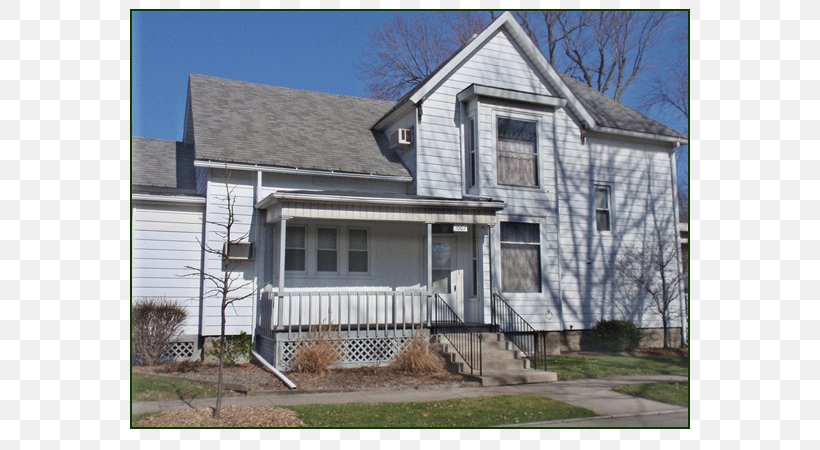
465,412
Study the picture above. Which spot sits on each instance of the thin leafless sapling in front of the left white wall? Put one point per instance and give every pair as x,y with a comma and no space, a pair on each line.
227,284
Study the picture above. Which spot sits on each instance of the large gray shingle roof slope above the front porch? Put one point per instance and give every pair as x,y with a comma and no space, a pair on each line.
258,124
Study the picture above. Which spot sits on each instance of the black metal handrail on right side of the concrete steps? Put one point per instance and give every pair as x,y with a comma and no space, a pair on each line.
519,332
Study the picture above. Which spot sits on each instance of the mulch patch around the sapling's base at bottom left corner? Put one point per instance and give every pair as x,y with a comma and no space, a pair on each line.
230,416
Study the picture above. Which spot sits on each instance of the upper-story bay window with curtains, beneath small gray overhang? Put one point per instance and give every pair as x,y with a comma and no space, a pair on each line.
517,150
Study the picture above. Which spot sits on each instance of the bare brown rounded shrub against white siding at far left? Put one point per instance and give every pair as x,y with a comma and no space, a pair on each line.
156,323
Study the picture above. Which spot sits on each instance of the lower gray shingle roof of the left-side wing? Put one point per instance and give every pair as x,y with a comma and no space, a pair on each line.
162,166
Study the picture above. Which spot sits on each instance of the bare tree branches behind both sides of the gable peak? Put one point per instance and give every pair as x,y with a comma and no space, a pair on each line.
604,49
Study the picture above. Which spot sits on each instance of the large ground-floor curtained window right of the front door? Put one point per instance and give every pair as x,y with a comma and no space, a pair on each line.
520,257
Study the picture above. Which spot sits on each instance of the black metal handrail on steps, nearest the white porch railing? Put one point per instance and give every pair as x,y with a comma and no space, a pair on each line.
467,343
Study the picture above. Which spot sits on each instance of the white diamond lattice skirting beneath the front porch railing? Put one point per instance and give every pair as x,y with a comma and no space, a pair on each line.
352,351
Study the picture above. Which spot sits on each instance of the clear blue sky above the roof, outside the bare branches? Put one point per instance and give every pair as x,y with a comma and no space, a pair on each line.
314,51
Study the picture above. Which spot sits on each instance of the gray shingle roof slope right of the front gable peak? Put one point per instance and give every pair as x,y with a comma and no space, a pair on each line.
612,114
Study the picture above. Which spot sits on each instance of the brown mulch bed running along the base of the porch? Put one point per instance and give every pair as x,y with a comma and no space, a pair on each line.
250,378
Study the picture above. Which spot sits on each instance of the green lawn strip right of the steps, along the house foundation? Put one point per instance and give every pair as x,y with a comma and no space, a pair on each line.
573,367
